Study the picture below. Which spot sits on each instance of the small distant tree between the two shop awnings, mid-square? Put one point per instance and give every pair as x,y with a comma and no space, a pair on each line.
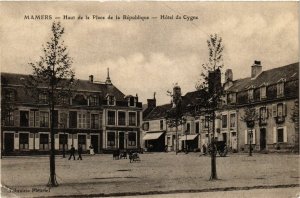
175,116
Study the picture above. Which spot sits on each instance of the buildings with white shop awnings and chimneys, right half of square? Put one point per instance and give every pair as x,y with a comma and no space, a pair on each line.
274,95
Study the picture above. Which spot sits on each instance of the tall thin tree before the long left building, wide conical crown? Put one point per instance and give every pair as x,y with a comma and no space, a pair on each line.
52,80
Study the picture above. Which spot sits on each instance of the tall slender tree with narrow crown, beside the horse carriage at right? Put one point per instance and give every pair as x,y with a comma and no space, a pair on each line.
210,81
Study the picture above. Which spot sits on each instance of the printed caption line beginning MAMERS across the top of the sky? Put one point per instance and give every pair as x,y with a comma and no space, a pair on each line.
110,17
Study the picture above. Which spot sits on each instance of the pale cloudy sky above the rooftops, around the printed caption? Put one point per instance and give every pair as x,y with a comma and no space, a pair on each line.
150,56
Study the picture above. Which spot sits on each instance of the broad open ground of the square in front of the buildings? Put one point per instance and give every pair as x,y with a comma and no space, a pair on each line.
156,173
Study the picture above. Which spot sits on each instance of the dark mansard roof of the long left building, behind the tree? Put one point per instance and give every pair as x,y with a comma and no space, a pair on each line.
11,79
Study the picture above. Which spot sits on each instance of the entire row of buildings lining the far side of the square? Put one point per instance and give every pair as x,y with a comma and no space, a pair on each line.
99,114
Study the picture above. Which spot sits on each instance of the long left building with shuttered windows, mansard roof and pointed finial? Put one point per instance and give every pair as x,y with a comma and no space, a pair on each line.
97,114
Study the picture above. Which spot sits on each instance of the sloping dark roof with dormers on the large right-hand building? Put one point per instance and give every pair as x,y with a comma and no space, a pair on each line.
288,73
